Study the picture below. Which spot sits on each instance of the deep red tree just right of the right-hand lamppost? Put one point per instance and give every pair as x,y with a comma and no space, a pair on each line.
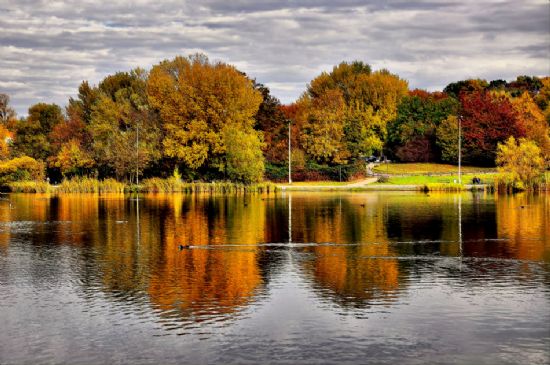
487,119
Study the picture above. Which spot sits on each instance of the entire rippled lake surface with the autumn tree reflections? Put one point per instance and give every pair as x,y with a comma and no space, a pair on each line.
283,278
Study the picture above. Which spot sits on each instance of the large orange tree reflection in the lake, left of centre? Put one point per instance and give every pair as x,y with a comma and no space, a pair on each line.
210,277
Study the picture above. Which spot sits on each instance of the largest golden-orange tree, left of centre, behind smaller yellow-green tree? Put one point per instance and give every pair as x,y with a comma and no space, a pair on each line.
197,100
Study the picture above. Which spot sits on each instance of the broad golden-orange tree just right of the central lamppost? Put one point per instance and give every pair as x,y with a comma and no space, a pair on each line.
369,102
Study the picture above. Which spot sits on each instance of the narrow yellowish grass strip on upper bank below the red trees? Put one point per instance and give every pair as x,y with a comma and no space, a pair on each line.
425,168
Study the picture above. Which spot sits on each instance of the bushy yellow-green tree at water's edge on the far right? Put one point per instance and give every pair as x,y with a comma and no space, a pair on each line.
520,163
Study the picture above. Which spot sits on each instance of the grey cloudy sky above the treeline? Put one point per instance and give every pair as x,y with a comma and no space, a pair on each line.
48,47
